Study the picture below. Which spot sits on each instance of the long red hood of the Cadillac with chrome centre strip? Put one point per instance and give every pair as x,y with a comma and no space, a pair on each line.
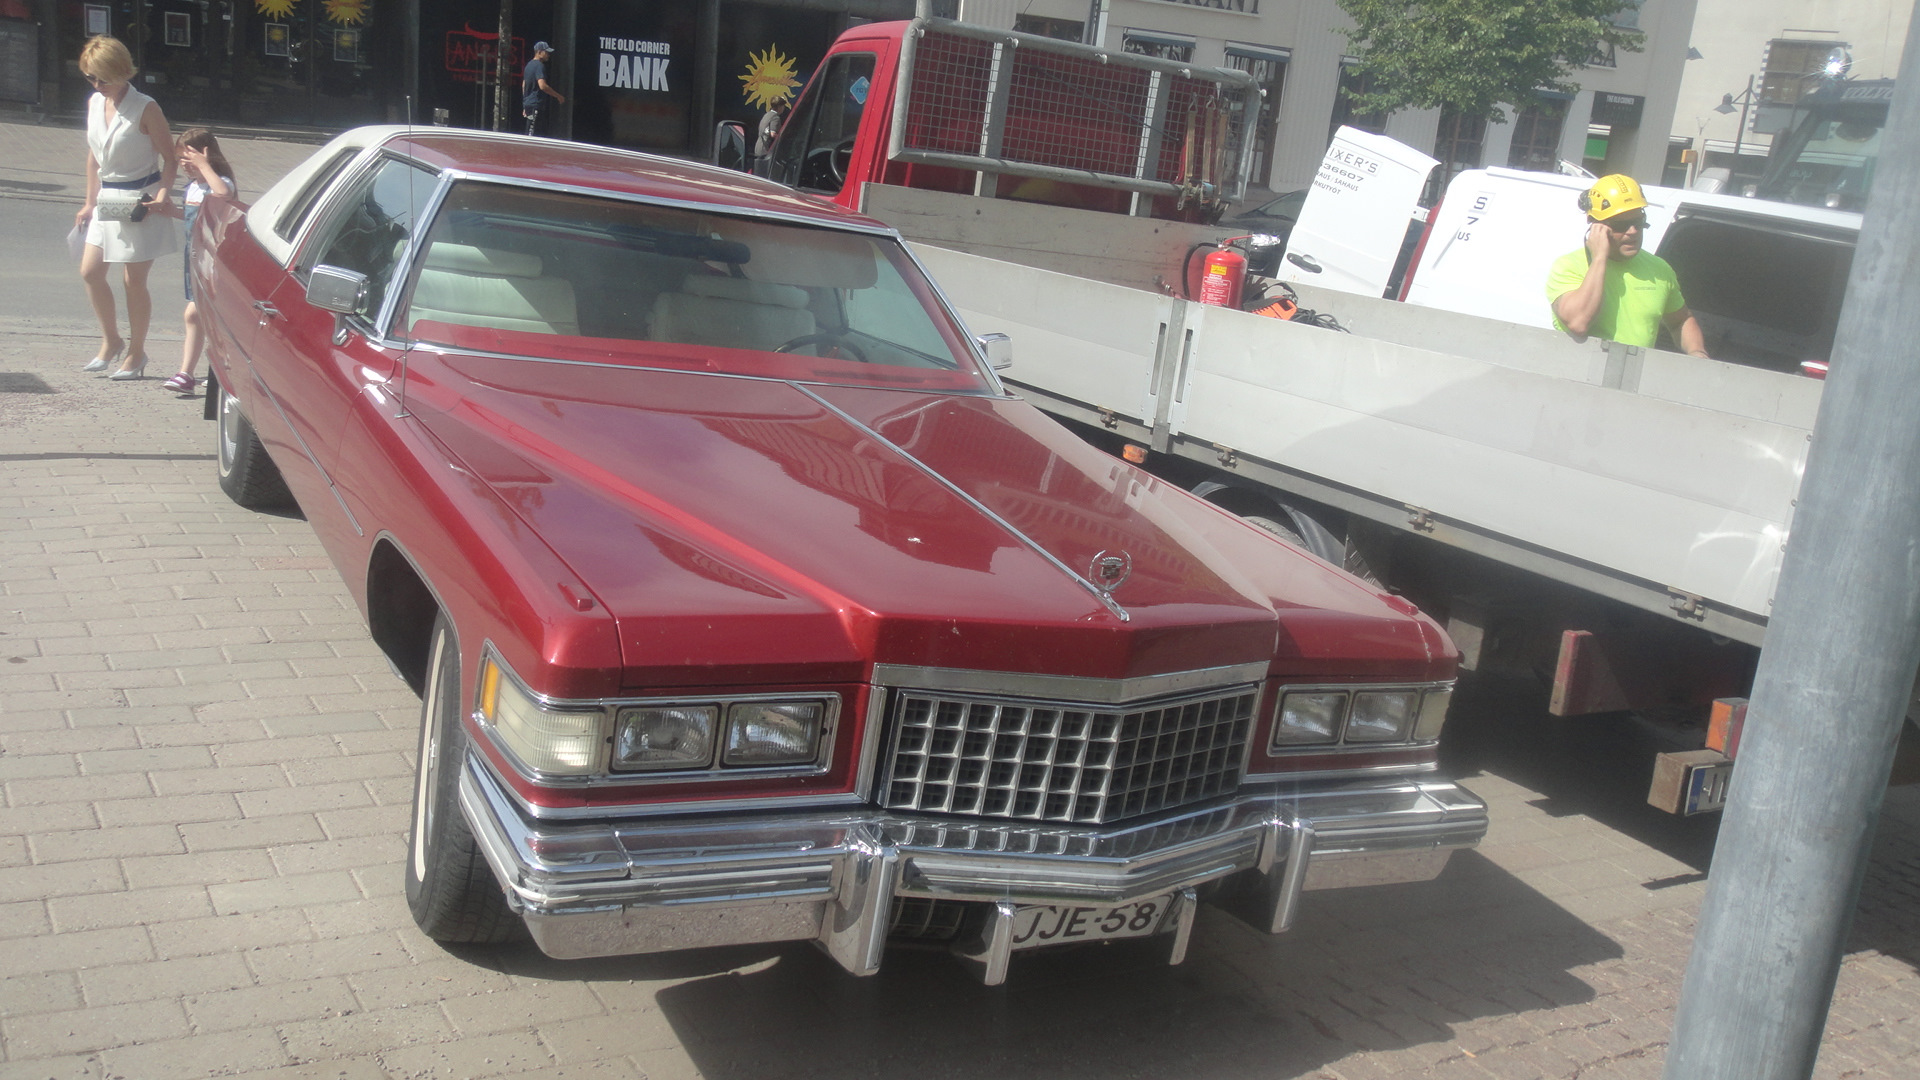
763,531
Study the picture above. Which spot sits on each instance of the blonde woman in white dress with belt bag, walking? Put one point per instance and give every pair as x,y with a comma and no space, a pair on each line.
128,149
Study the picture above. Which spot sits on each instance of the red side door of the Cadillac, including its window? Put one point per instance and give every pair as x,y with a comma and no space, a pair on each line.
324,362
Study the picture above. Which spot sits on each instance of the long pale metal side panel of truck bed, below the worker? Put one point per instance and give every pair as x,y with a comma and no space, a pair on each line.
1669,493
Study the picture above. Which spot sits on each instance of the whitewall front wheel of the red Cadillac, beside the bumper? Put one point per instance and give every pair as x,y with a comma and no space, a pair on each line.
450,887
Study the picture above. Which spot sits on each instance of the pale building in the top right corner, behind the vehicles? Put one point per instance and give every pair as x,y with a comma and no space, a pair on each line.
1758,57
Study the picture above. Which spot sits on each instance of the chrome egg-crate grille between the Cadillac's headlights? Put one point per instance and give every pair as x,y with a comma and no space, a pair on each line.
1063,760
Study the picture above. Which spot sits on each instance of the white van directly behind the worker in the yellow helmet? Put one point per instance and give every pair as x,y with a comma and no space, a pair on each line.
1764,278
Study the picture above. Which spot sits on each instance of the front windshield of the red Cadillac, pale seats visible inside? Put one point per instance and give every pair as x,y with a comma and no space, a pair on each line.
562,276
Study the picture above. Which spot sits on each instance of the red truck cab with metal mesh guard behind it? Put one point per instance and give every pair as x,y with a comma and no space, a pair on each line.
980,112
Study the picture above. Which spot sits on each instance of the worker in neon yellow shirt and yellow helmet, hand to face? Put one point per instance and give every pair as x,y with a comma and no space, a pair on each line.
1614,289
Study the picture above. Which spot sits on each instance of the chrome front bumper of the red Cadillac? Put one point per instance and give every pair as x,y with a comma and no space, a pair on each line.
660,885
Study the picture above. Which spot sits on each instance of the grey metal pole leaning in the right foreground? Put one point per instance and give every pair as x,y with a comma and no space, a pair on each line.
1835,675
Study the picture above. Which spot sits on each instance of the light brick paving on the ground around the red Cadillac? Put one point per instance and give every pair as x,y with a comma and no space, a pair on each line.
206,773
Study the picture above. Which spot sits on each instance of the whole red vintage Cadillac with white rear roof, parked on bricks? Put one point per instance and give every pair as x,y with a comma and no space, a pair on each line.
746,604
